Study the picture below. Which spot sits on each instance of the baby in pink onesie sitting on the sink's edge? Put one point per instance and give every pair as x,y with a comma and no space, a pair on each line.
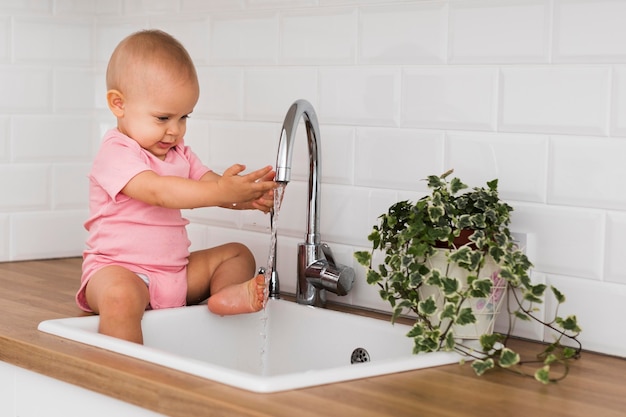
137,254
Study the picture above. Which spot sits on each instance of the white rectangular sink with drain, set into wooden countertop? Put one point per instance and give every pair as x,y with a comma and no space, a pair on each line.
286,346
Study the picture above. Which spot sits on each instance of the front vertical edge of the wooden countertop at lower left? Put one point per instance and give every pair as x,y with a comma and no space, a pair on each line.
117,376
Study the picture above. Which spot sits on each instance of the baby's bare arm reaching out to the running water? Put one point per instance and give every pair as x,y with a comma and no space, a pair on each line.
214,190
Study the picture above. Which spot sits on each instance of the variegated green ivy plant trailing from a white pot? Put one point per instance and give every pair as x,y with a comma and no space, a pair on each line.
470,229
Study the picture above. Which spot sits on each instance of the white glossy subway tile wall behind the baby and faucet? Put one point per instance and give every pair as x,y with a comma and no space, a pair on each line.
528,91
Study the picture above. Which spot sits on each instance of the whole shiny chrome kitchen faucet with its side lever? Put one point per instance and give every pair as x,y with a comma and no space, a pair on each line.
317,269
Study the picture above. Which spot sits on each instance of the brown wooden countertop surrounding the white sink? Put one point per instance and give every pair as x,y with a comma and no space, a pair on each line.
33,291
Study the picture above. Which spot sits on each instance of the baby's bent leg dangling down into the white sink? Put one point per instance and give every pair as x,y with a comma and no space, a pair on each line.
120,297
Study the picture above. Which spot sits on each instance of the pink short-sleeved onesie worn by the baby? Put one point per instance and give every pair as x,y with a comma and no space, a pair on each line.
145,239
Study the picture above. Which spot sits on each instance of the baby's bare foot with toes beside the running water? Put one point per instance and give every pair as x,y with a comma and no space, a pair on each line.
246,297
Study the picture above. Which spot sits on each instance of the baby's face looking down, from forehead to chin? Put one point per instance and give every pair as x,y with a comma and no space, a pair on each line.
156,116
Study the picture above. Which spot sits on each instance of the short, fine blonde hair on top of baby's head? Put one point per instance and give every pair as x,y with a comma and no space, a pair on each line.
144,51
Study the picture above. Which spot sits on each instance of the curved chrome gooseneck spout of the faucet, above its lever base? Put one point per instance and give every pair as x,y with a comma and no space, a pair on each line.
302,109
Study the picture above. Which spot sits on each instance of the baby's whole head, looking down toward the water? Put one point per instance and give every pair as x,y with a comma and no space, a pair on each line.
152,87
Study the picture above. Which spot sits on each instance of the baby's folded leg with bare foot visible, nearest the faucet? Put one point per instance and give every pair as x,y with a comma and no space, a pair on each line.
223,274
